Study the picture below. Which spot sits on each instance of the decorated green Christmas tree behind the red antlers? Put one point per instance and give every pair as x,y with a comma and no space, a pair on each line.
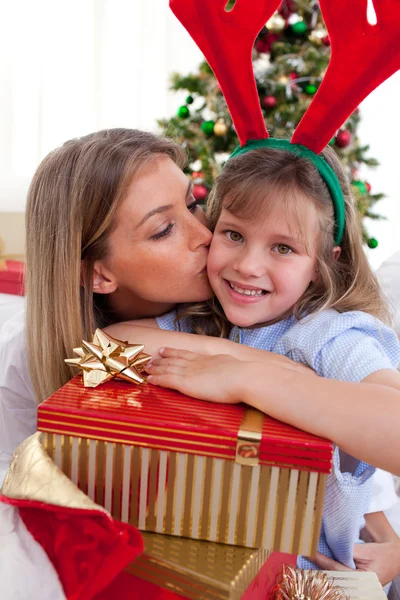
290,56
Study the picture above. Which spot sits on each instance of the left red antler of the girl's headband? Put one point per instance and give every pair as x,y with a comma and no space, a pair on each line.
226,40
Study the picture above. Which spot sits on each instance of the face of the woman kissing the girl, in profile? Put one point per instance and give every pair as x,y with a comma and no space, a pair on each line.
158,249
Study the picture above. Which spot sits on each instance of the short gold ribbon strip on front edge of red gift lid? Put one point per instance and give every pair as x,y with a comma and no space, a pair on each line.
249,438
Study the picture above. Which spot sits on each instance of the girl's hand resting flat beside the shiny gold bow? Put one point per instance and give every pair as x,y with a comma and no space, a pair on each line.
214,378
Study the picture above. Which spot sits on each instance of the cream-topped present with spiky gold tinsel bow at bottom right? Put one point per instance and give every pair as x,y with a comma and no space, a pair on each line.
292,584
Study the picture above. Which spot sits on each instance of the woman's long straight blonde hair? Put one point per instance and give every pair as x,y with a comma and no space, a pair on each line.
72,202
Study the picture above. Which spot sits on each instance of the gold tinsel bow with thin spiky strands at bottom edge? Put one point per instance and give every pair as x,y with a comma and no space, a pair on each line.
294,584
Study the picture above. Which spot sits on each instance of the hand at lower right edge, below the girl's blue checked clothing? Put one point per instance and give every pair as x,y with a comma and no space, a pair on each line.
383,559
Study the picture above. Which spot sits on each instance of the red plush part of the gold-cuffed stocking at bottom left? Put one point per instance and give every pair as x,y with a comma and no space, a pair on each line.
86,547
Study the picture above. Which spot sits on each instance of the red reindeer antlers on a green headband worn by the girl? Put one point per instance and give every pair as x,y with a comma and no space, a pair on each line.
226,40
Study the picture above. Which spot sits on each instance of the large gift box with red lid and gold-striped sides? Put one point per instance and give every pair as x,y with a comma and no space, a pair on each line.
175,465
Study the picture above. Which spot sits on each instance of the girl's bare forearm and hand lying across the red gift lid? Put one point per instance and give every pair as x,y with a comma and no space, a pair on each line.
361,418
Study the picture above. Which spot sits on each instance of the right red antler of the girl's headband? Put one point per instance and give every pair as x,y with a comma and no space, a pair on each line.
363,57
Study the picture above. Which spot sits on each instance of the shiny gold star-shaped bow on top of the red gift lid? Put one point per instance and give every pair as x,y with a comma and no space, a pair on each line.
106,358
